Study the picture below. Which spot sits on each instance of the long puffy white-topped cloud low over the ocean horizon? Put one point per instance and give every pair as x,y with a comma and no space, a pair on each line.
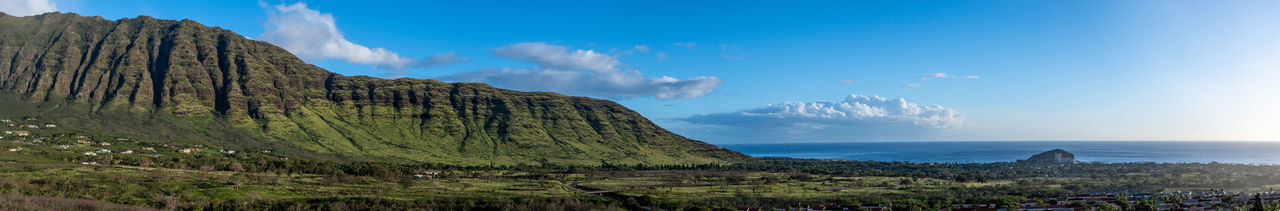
858,117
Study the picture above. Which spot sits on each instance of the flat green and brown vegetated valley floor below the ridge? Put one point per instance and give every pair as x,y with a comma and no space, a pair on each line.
207,177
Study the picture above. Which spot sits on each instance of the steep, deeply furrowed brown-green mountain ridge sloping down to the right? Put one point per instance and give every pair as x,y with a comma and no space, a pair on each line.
180,81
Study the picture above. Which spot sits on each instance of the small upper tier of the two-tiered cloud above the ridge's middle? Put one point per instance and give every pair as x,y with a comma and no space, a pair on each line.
554,57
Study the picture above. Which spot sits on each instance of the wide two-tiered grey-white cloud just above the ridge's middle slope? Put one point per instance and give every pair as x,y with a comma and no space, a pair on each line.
583,72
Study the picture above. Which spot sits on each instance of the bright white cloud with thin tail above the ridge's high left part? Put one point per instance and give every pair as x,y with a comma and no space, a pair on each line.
313,35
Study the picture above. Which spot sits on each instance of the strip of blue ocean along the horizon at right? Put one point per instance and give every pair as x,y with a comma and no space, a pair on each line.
1089,152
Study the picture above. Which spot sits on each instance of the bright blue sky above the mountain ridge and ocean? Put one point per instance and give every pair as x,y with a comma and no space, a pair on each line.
813,71
